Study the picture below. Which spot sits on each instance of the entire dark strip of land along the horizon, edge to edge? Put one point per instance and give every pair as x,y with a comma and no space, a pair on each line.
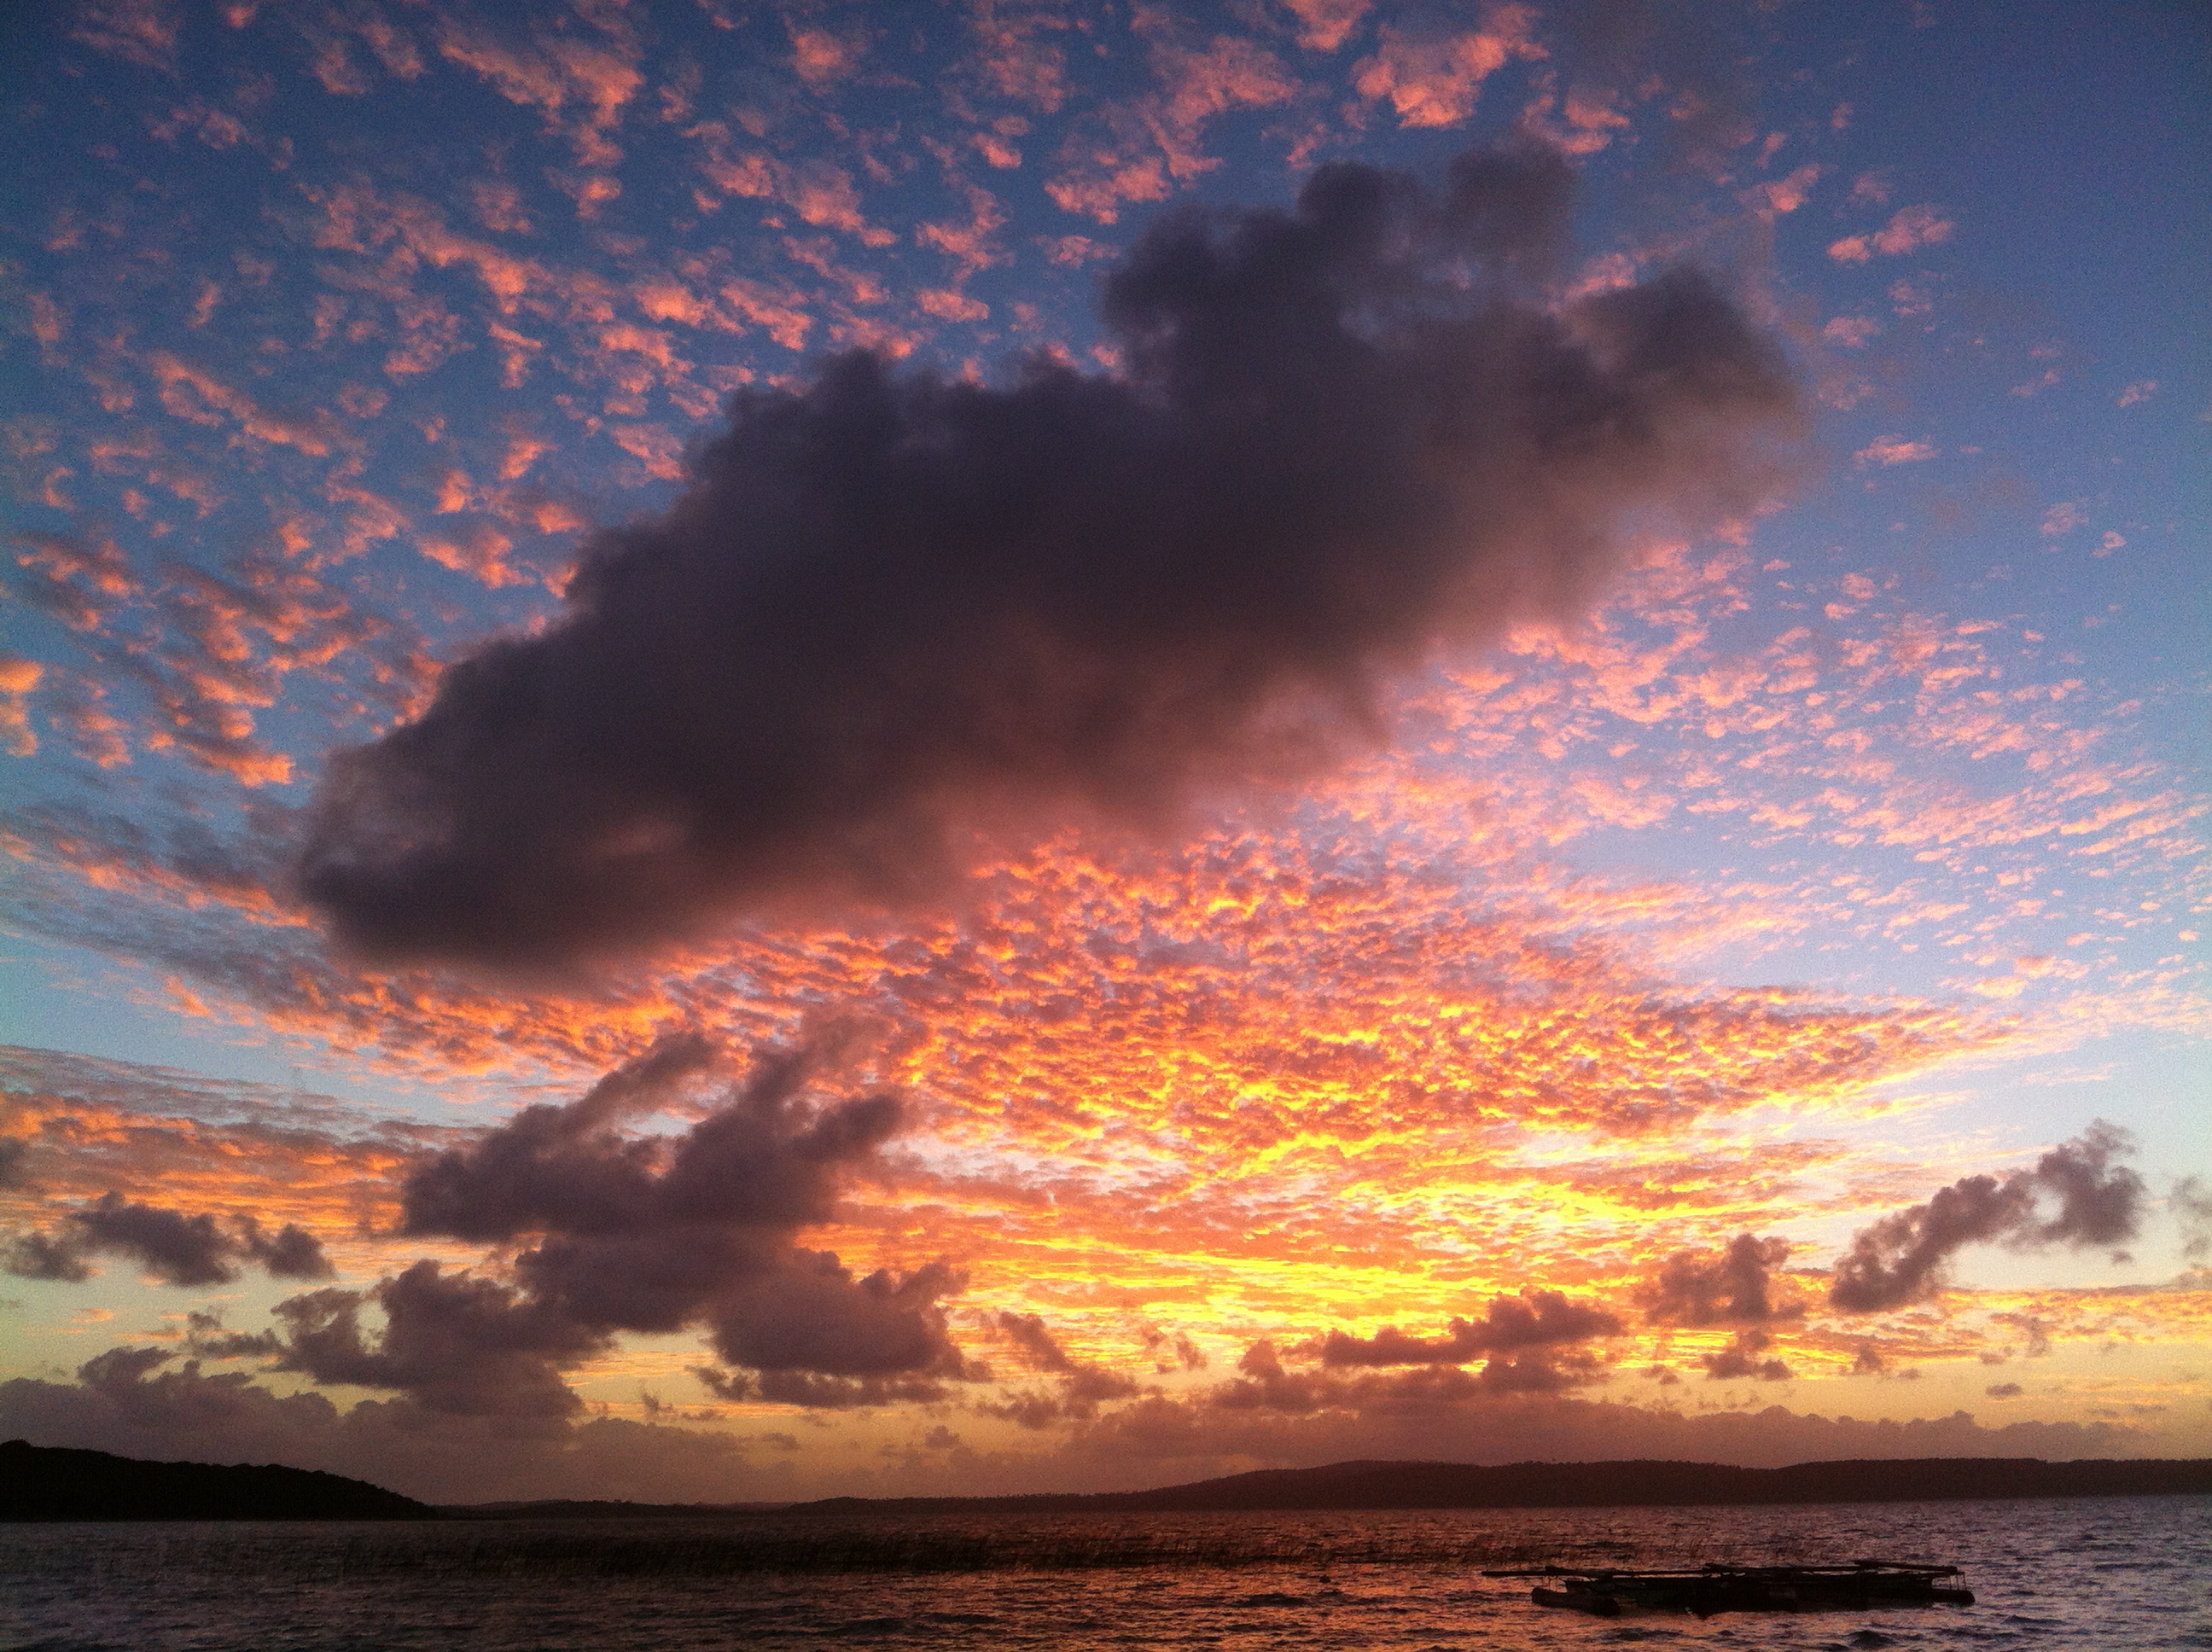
43,1483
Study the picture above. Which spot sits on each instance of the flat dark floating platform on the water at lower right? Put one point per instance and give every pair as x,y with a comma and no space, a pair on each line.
1749,1589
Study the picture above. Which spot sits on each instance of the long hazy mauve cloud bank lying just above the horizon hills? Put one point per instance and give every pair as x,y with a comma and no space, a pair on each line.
147,1403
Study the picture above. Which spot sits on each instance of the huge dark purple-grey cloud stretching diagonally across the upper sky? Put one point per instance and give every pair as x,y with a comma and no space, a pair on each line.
897,607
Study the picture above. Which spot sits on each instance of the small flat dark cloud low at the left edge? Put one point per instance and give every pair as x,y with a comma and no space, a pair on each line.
169,1244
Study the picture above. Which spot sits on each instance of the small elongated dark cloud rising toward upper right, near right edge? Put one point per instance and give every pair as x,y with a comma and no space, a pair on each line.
1903,1257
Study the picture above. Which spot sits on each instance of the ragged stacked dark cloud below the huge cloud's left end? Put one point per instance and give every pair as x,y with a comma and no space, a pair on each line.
638,1233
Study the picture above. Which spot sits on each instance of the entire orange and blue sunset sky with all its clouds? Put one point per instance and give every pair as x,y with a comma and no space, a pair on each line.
766,751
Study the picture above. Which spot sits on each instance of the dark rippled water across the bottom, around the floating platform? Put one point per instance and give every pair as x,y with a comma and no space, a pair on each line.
2122,1576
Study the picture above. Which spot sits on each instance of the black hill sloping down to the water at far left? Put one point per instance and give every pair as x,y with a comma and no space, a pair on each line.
48,1483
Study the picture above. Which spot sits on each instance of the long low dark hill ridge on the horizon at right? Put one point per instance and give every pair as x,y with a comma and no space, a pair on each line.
1596,1485
